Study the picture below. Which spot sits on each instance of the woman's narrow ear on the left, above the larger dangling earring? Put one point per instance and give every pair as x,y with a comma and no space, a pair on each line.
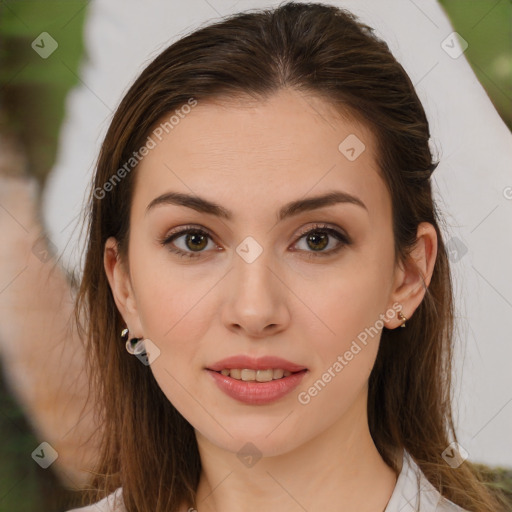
120,284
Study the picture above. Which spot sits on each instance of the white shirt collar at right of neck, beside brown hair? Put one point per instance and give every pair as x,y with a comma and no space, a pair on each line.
414,493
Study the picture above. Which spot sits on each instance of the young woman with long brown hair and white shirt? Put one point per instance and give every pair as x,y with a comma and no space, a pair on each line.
267,293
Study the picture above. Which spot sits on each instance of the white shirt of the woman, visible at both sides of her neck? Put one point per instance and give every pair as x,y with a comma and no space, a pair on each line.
412,493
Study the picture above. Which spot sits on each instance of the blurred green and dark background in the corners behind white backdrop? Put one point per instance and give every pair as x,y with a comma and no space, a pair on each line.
32,94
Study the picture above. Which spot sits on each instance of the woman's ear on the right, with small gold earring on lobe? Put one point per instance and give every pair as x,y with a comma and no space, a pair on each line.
413,276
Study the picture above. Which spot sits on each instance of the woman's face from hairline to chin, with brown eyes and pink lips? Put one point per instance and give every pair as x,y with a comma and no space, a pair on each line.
311,285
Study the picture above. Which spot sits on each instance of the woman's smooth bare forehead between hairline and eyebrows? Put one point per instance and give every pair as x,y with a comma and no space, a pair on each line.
257,154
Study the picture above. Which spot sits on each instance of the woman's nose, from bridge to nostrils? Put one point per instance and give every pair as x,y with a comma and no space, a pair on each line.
257,299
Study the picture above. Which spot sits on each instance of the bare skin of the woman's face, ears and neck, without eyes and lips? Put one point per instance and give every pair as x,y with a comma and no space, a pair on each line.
252,158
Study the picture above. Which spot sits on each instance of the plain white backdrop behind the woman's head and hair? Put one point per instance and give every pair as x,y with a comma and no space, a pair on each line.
473,181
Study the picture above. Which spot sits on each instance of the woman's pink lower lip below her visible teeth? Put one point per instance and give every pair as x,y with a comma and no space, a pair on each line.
257,393
